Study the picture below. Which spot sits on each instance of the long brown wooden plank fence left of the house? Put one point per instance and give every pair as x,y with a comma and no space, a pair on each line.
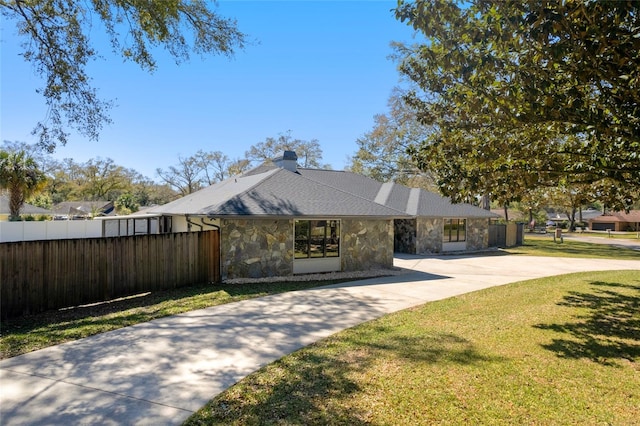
36,276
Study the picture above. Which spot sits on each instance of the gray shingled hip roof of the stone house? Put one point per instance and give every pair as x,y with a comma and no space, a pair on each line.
269,190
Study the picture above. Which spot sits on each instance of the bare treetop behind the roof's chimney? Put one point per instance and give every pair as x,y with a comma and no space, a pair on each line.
309,152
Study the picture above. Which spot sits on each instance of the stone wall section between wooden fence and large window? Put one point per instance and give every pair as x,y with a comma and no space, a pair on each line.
256,248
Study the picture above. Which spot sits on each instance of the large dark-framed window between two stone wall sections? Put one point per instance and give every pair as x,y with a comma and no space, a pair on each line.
317,238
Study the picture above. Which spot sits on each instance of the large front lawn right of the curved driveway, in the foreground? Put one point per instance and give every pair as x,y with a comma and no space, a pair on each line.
559,350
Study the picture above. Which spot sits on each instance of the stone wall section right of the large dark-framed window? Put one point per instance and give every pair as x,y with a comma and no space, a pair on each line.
366,244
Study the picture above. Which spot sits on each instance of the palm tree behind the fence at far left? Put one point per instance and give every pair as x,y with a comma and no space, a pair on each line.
19,174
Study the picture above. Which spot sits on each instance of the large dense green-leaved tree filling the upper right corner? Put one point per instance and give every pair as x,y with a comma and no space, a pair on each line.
522,94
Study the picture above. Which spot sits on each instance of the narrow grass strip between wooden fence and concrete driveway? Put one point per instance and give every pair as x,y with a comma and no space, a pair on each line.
26,334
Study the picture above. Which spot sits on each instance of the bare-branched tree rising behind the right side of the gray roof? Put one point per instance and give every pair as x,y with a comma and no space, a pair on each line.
382,153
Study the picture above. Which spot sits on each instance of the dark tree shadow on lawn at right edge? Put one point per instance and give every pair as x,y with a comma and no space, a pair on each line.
608,331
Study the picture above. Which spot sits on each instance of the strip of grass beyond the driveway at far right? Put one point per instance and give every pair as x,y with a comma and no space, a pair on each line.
537,245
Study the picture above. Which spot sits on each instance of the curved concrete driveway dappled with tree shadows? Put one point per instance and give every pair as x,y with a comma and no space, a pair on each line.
160,372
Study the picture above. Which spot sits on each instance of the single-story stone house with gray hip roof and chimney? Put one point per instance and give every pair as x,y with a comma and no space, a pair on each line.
280,220
